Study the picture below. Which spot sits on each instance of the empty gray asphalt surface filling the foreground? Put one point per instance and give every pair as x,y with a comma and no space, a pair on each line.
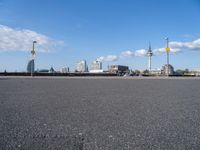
99,114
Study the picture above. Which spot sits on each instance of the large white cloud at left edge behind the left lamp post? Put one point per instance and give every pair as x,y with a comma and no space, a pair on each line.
21,40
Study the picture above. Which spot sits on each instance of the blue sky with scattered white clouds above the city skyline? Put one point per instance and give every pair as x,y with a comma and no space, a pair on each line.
113,31
